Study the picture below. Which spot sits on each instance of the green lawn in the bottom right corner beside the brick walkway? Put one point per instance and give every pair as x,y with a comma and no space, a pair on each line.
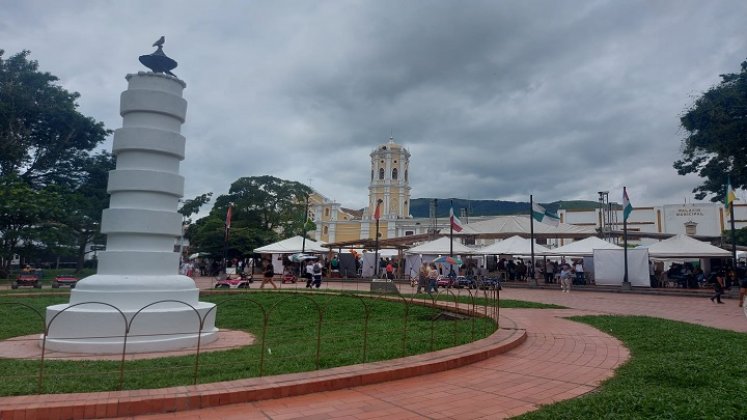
676,371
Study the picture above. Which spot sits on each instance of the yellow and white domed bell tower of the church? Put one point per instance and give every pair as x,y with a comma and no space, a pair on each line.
390,181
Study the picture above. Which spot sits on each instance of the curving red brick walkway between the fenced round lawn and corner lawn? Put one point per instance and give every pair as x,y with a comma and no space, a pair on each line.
559,360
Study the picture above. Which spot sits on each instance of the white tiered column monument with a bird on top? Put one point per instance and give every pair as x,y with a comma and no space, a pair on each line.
137,283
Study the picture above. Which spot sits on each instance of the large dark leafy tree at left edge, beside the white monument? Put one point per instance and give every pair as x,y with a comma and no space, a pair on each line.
44,153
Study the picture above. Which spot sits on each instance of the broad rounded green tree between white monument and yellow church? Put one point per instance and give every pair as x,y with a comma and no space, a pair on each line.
265,209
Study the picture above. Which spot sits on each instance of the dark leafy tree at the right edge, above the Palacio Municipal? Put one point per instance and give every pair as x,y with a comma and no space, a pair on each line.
716,142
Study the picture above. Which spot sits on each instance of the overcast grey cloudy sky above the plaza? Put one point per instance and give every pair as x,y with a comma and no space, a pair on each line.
494,99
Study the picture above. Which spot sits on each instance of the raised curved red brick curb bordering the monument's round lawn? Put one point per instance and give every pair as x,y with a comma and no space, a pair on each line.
165,400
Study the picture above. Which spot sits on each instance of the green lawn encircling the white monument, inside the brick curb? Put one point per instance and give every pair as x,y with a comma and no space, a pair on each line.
292,332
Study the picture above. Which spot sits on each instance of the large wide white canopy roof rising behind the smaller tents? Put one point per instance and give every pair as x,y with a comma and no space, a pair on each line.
506,226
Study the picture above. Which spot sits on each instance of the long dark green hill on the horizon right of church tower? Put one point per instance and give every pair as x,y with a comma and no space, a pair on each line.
420,207
